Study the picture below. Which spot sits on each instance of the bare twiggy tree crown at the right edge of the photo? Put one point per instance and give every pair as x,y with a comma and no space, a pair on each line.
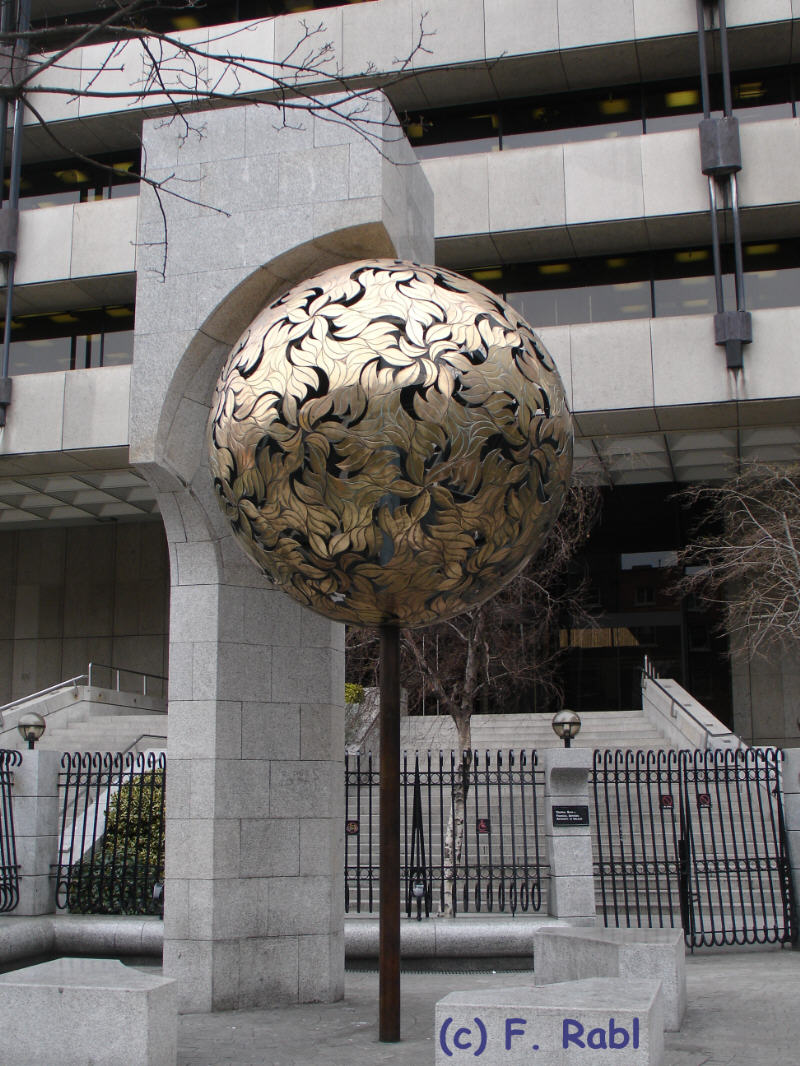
745,556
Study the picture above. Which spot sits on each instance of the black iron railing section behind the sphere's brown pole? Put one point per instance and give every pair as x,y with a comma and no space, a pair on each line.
472,833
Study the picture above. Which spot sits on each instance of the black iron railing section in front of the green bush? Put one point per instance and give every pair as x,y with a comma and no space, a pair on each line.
113,833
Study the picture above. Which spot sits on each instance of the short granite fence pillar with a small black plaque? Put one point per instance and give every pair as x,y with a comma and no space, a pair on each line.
569,830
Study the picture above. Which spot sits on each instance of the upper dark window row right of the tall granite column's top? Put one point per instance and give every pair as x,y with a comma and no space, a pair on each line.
593,115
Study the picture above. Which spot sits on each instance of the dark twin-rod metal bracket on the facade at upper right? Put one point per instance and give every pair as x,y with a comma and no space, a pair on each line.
721,154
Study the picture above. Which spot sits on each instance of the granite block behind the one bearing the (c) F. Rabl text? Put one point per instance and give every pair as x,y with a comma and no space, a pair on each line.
571,955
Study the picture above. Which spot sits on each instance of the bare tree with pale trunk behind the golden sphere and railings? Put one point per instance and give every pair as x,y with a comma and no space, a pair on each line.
491,657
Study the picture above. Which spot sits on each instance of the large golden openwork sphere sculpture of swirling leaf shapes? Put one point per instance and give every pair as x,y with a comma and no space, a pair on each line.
391,443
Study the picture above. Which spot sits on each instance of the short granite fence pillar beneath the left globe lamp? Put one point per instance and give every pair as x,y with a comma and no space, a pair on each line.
36,801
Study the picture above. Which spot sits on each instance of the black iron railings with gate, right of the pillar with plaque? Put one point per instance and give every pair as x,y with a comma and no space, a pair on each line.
695,839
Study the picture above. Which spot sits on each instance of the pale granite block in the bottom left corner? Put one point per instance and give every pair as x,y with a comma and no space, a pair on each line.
78,1011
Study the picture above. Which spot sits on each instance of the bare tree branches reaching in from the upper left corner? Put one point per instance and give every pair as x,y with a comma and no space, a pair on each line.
122,56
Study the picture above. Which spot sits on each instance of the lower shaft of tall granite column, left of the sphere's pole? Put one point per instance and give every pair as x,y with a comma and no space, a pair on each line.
254,887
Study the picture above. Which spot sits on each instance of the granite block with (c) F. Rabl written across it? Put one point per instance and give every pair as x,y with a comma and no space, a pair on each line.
611,1022
